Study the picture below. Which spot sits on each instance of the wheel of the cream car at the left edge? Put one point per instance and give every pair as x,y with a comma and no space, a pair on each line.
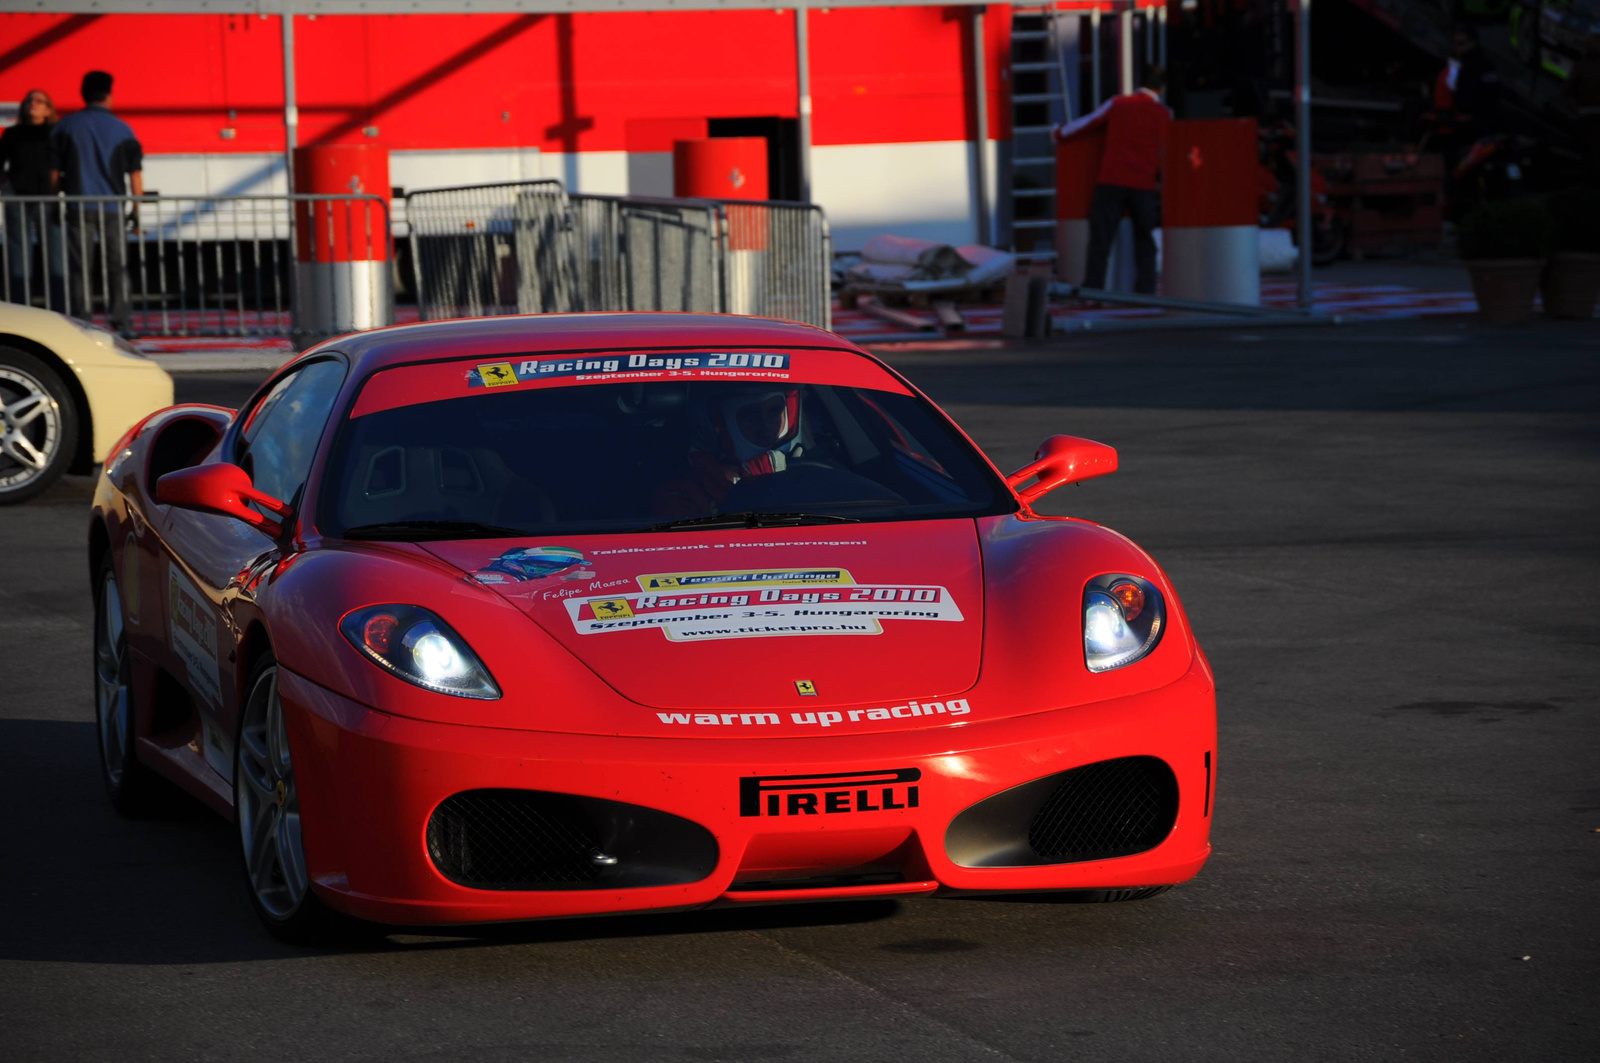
39,427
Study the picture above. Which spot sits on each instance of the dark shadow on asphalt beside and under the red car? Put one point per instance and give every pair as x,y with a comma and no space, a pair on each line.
86,886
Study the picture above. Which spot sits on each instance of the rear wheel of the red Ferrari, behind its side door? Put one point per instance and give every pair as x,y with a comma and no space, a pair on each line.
134,788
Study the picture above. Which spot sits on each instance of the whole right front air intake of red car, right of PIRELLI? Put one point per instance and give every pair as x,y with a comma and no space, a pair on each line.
1094,812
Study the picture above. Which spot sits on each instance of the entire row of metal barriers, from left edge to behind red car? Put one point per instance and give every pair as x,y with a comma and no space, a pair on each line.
321,265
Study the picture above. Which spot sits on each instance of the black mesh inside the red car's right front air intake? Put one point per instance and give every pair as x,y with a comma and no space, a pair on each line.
1108,809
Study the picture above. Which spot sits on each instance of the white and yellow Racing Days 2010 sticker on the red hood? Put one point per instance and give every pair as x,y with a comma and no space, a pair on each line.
756,609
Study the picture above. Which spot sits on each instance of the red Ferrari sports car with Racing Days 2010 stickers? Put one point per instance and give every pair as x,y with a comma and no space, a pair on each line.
529,617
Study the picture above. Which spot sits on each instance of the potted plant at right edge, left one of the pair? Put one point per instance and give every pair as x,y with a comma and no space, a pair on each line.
1503,247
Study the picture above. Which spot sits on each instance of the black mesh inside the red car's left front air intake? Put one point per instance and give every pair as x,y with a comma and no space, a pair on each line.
508,840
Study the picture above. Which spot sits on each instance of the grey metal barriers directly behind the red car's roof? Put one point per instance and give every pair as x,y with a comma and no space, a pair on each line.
530,247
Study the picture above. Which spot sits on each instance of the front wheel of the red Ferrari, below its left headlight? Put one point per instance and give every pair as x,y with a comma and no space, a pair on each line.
266,812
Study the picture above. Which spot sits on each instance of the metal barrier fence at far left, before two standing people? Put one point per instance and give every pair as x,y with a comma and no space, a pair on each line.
202,267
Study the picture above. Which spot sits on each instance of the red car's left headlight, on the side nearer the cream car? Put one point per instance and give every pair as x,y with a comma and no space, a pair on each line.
418,648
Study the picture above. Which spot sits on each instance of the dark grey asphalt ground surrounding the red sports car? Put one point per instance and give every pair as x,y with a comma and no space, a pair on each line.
1386,537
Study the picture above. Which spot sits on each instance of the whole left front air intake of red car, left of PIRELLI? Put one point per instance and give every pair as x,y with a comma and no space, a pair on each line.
526,840
